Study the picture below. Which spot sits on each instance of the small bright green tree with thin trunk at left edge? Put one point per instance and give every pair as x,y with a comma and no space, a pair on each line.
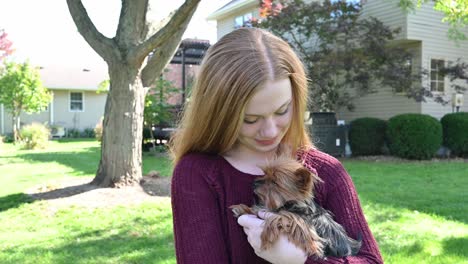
21,90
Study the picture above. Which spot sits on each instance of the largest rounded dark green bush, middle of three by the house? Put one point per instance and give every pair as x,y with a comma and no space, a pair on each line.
414,136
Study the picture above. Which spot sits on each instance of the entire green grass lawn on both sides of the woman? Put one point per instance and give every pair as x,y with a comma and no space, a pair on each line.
418,211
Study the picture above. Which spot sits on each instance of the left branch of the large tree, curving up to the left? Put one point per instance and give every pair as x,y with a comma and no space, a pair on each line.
104,46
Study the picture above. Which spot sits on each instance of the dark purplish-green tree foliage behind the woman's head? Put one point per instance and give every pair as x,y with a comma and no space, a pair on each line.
343,53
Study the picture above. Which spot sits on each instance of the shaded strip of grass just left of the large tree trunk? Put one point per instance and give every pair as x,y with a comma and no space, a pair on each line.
84,162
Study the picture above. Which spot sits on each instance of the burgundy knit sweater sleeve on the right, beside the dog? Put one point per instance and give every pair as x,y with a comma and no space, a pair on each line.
339,196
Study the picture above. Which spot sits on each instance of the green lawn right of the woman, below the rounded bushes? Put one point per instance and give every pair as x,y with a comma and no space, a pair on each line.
416,210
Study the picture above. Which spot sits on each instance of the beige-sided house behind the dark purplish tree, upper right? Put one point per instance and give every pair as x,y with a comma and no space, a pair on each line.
422,33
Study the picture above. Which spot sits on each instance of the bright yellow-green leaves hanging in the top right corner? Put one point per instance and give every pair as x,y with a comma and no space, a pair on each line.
455,12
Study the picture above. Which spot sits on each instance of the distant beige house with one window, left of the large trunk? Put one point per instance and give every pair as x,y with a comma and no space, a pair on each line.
76,104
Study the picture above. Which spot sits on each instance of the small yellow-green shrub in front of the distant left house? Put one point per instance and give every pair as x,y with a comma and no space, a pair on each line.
35,136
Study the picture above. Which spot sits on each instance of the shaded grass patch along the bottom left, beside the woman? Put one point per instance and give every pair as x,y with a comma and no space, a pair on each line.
127,246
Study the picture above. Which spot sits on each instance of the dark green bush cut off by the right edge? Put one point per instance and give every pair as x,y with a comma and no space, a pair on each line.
455,133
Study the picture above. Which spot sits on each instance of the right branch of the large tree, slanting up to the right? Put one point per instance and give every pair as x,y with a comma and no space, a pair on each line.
178,23
